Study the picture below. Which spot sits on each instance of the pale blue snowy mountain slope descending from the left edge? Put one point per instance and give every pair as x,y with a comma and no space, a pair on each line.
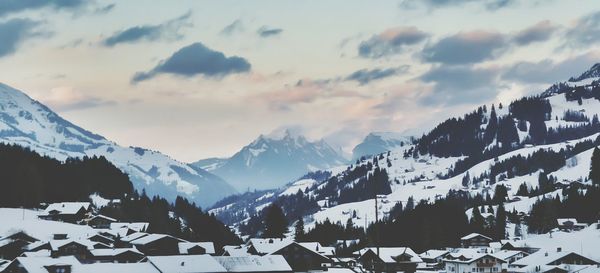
28,123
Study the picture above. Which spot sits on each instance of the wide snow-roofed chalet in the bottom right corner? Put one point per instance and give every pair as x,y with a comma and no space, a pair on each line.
544,258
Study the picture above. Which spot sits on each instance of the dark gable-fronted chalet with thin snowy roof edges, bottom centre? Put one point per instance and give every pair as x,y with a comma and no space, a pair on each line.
301,258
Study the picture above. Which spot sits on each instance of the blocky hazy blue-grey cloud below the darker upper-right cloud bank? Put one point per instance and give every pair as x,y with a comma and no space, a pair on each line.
455,85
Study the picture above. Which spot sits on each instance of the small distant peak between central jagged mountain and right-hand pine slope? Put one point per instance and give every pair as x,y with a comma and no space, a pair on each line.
379,142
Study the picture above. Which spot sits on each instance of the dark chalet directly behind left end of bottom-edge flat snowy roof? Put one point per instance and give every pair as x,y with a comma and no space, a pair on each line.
157,244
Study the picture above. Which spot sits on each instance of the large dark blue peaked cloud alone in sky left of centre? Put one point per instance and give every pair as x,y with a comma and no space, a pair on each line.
197,59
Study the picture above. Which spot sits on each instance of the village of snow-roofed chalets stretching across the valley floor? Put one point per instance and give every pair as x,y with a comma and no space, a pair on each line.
115,246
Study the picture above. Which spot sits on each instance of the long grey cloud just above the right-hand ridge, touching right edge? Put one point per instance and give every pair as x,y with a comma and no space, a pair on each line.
549,71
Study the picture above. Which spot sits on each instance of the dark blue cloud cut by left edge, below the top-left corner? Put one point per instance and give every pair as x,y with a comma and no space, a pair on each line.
14,32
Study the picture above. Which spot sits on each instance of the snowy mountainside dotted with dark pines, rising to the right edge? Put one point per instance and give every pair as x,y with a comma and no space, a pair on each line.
551,136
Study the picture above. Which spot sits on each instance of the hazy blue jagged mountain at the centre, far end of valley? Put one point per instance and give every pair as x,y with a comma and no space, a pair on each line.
272,161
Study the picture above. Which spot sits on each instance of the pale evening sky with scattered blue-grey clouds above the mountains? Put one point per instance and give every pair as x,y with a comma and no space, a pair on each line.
197,79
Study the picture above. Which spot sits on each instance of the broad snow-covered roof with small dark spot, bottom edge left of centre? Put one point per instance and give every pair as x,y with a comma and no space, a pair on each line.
186,264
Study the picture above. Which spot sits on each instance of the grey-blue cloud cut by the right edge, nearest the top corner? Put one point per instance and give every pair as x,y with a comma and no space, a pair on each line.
585,32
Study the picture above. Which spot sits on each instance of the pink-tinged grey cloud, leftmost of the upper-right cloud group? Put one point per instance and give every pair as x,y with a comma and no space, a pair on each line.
390,42
